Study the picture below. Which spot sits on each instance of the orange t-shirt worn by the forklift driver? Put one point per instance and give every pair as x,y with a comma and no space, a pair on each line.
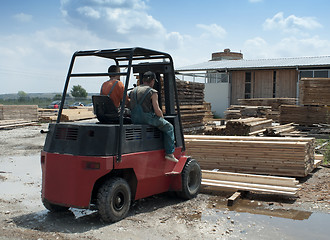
117,92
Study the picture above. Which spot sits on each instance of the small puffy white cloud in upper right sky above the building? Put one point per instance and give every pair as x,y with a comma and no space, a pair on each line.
291,24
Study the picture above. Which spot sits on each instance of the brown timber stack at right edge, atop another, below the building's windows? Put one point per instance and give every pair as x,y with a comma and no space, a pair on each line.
314,91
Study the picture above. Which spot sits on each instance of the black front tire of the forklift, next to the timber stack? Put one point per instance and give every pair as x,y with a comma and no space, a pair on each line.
191,179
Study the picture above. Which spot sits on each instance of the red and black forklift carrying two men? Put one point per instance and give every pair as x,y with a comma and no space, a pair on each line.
107,164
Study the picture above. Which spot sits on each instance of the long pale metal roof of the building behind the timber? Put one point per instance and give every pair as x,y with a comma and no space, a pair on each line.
300,62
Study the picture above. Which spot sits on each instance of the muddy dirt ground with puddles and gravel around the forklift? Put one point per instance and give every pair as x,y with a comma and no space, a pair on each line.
256,216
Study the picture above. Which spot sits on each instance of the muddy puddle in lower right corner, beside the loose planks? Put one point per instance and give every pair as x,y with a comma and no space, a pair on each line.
257,220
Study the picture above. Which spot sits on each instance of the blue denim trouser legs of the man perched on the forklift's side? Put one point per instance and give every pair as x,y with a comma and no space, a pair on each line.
140,117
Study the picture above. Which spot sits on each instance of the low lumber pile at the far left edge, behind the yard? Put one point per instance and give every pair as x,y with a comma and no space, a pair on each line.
27,112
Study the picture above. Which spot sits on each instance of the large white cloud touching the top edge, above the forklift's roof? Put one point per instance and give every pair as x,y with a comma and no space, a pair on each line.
123,20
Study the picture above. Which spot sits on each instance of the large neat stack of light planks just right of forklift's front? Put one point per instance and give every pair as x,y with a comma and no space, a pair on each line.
276,156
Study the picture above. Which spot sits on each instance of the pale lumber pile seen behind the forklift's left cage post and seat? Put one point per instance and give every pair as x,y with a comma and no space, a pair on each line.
68,115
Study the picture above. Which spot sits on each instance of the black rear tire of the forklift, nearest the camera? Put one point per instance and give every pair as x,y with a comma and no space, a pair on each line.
114,200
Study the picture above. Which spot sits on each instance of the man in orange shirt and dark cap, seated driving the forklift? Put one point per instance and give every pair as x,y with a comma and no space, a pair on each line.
114,88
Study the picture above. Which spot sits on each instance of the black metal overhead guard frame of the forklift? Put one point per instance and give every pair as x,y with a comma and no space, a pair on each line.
126,58
